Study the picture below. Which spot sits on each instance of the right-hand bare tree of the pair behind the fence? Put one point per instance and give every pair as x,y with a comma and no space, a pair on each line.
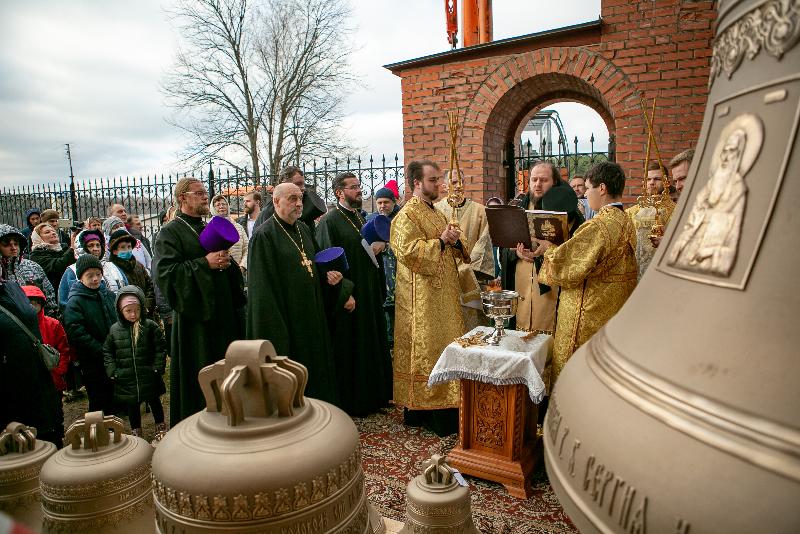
304,55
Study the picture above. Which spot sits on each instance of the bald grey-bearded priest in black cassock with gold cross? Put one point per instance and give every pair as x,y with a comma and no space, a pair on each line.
288,294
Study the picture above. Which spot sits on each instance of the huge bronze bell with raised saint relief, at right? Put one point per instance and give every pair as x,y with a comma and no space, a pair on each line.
681,414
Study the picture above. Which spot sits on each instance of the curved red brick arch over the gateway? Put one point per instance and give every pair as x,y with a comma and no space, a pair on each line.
529,81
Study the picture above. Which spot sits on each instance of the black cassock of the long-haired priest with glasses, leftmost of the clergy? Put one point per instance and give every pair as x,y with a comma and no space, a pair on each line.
208,310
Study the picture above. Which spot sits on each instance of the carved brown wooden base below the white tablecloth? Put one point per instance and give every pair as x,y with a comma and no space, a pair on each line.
497,435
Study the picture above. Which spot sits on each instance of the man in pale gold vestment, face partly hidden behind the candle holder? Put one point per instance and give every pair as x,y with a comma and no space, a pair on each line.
475,233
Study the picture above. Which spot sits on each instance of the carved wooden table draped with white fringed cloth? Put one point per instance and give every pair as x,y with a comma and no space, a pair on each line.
497,422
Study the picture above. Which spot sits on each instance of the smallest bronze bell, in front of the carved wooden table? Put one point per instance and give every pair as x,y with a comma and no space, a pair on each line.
436,503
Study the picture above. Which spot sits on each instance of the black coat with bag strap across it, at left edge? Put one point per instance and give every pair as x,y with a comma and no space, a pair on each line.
29,395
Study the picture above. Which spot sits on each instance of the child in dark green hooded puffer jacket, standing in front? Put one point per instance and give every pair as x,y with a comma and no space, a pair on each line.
135,359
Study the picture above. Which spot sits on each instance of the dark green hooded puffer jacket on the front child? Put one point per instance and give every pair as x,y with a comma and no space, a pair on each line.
135,369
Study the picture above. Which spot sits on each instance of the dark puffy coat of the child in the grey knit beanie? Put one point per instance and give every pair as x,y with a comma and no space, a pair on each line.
88,318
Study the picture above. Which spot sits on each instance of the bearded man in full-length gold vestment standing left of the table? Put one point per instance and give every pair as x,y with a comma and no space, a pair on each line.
427,309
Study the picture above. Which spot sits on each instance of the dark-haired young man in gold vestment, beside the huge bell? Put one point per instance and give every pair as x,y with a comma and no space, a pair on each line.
596,268
